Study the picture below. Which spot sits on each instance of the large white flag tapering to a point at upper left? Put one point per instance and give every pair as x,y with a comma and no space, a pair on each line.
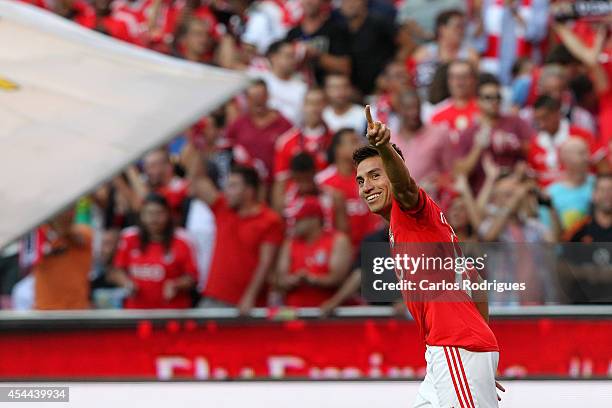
77,106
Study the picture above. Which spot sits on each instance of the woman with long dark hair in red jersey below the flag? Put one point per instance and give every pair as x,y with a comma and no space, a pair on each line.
155,262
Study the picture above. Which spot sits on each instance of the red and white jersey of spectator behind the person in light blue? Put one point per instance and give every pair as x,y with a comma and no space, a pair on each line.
543,154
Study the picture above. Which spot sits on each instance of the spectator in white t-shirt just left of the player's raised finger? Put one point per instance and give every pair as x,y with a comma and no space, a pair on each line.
341,112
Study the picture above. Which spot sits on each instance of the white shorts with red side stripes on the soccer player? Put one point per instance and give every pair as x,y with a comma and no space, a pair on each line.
457,378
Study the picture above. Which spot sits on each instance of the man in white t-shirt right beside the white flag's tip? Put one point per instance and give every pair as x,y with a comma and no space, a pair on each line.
285,89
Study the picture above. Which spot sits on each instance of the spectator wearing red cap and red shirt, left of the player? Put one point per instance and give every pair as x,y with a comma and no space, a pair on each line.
314,261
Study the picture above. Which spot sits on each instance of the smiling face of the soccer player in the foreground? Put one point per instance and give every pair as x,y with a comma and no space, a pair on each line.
374,186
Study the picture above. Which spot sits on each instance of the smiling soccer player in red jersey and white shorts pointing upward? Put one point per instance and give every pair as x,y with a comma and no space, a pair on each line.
462,352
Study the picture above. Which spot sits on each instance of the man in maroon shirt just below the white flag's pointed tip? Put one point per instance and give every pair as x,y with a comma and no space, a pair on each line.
259,128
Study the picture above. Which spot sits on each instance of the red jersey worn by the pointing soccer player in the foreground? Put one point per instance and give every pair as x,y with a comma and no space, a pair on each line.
455,323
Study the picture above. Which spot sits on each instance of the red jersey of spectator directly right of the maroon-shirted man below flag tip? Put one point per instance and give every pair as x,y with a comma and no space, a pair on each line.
295,141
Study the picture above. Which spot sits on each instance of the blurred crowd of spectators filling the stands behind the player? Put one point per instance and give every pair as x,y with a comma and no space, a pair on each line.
502,109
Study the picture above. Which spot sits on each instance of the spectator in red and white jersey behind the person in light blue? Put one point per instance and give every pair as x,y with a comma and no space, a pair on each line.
543,155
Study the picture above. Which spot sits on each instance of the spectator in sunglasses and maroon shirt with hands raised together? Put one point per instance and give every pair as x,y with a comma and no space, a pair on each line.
504,138
